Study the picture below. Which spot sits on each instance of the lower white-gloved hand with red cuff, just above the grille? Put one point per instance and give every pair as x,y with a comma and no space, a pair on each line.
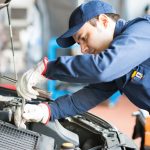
32,113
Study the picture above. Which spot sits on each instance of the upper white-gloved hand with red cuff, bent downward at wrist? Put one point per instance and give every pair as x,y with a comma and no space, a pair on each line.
29,79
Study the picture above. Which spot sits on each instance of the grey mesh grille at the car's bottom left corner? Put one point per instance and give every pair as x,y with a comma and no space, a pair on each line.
12,138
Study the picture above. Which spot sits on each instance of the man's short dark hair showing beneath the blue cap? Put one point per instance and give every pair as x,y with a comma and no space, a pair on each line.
114,17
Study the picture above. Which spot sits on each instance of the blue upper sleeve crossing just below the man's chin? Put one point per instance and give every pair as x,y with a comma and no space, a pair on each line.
127,51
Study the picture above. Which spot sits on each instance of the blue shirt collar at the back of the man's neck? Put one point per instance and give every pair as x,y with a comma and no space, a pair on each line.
119,26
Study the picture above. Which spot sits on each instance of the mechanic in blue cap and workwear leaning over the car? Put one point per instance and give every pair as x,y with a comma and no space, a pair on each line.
116,57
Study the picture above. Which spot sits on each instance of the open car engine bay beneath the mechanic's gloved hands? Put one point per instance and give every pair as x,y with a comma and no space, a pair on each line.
85,131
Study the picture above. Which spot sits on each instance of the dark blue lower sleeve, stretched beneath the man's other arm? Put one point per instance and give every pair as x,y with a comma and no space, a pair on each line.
81,101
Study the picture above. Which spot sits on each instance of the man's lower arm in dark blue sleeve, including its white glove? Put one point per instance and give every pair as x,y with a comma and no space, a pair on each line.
65,106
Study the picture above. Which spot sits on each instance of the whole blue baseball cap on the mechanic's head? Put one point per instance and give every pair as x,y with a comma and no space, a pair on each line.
80,16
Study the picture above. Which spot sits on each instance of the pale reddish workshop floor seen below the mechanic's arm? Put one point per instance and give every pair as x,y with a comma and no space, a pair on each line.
120,115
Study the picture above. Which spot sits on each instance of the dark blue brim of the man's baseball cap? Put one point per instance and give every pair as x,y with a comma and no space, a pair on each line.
66,39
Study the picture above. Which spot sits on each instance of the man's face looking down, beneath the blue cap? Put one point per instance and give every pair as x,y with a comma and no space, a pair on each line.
93,39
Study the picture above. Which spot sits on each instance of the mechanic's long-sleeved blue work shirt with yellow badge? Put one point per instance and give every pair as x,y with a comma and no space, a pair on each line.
124,66
